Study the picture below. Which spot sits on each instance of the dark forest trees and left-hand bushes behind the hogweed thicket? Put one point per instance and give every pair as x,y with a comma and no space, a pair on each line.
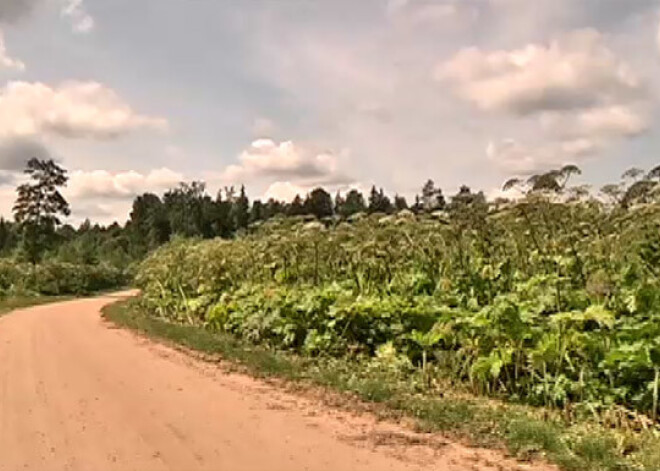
37,243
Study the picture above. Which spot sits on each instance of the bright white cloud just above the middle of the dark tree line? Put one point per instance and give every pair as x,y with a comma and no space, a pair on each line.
269,160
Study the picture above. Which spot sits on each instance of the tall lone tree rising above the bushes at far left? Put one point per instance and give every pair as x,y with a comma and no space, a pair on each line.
39,205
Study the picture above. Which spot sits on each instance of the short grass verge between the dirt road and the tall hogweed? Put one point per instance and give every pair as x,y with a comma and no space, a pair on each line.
527,433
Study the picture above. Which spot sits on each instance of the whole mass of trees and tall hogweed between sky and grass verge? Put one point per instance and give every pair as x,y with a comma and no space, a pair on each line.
549,299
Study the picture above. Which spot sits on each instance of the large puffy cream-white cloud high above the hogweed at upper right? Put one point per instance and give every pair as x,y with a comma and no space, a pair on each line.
573,71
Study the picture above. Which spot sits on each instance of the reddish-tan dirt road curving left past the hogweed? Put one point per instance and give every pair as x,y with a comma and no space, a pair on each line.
77,394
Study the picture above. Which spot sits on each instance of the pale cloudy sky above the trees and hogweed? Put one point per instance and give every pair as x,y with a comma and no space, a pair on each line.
286,95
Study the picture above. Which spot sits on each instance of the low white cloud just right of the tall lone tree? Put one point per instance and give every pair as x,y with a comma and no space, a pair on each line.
103,184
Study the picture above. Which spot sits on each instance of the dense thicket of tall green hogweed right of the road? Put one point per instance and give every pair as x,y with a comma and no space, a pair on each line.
552,299
